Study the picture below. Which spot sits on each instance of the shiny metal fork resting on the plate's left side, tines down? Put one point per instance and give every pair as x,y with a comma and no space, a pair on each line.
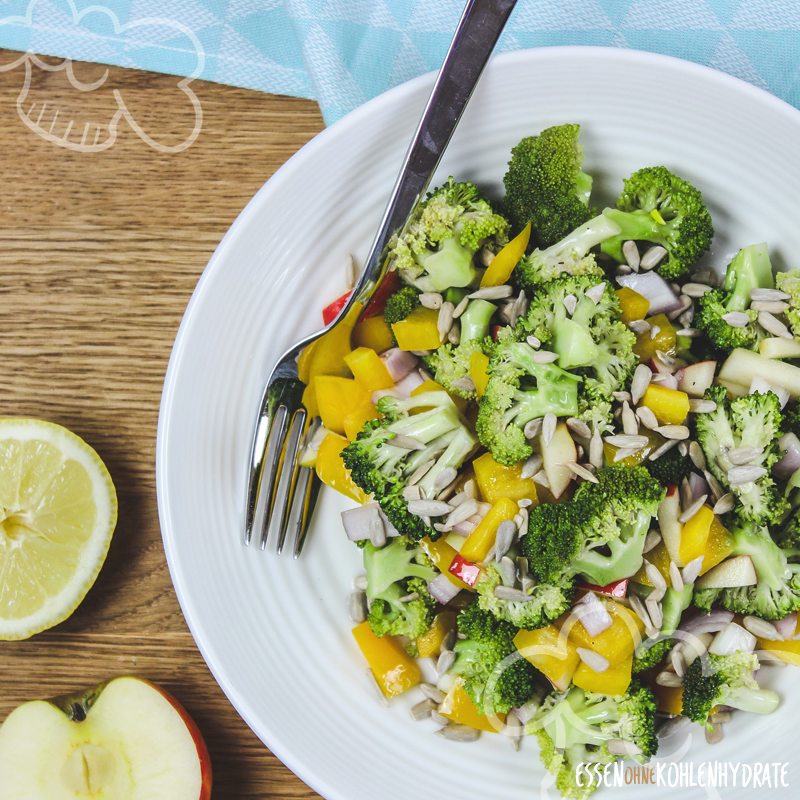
280,493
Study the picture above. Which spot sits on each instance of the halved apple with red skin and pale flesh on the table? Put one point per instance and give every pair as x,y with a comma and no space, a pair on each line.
123,740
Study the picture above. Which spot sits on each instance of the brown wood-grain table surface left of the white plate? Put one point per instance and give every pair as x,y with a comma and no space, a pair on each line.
99,254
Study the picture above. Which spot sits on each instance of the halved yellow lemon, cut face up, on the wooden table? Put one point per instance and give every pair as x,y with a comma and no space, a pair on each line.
58,509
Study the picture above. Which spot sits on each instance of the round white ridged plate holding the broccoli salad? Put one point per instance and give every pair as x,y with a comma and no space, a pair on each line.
275,632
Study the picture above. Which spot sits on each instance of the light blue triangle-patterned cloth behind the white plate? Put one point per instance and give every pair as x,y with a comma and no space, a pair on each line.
343,52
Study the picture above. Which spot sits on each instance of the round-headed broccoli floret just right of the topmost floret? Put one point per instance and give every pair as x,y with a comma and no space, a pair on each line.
658,207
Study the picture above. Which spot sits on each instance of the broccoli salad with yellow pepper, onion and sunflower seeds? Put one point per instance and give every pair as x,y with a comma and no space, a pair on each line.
574,451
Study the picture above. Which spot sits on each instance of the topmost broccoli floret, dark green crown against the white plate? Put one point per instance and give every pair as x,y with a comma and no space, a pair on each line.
545,185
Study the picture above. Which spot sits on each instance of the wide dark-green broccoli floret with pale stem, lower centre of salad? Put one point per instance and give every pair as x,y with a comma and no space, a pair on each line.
600,533
